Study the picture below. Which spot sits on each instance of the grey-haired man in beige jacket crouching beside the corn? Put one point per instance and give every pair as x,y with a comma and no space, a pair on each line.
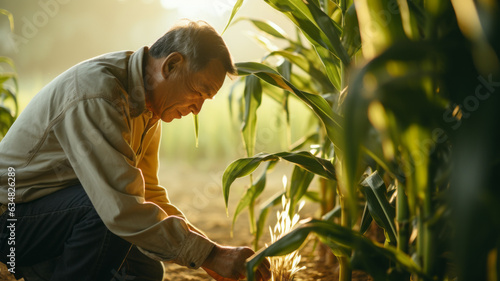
86,203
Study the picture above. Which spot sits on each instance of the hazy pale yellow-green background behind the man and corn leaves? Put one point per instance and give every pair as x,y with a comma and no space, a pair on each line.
50,36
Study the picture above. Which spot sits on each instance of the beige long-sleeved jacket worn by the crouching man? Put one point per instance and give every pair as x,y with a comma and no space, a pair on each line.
90,125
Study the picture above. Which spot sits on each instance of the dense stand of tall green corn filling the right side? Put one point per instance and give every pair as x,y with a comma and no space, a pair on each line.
408,123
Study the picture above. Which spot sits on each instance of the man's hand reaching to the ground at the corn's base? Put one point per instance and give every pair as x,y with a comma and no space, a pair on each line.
228,264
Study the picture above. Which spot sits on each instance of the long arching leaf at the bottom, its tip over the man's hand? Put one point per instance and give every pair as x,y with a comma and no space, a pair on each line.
336,237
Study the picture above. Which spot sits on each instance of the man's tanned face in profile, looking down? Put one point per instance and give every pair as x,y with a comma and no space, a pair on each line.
181,91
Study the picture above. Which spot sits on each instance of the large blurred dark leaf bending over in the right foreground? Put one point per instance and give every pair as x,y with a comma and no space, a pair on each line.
372,85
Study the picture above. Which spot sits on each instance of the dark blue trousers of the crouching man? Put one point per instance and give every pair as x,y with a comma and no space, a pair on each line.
60,237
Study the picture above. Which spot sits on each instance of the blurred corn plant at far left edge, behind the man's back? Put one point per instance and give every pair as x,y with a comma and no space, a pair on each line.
8,88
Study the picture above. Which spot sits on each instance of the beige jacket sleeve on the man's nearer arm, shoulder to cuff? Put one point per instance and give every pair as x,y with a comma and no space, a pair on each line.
93,135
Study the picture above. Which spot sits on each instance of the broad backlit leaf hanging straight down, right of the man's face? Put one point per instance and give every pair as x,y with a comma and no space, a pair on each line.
253,97
